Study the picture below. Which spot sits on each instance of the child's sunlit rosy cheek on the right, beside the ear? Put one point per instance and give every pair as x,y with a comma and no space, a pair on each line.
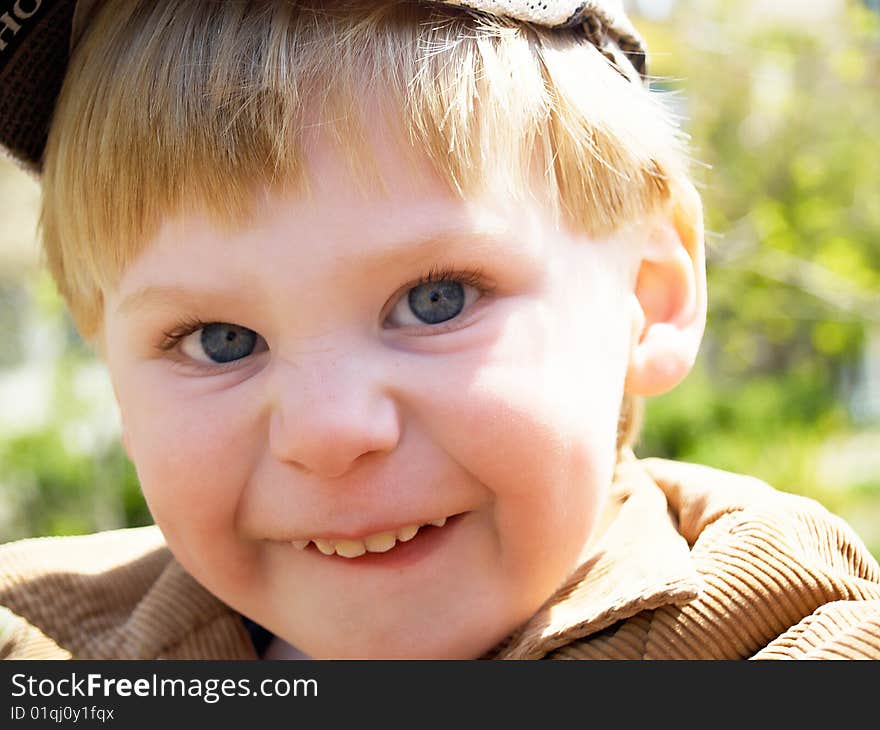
534,420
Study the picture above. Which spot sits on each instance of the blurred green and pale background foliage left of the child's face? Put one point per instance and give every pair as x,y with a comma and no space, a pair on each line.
62,468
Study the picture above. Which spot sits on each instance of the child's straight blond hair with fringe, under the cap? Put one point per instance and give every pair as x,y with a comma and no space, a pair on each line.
200,103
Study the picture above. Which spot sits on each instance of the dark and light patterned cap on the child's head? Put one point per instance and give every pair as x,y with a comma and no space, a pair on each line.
37,37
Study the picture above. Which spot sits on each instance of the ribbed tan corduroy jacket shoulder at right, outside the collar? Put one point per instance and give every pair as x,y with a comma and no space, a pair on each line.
782,579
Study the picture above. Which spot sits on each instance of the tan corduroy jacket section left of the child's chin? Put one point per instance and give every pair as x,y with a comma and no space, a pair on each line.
112,595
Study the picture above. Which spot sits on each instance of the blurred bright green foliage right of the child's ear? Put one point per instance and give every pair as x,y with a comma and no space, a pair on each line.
783,116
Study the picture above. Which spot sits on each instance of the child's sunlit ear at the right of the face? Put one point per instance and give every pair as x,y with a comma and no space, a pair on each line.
669,296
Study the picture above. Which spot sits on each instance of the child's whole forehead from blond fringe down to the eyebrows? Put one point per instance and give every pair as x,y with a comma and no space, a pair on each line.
371,217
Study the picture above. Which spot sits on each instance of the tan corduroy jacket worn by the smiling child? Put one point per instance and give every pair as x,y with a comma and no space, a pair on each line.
696,564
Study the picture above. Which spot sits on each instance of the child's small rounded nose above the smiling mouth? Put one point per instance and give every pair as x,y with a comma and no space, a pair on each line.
329,411
